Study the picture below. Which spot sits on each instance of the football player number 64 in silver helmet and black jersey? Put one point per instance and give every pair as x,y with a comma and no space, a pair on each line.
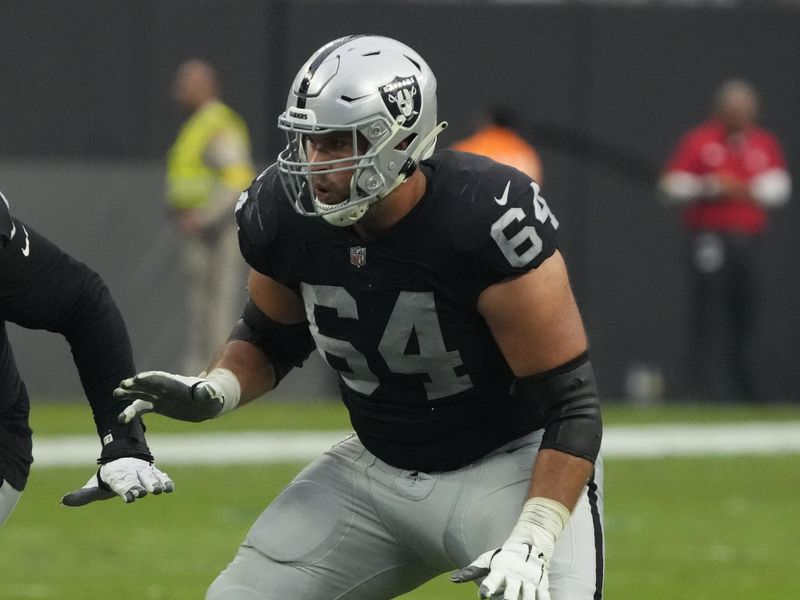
432,283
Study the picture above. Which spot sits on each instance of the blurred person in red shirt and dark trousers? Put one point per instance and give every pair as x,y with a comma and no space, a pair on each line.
726,173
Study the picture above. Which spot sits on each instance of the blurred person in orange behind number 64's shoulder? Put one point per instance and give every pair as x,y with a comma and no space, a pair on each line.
497,138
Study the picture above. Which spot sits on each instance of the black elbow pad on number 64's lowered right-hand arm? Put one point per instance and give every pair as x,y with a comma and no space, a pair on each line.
568,402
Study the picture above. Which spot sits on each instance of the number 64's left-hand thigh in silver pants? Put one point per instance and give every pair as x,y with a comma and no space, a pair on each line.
321,539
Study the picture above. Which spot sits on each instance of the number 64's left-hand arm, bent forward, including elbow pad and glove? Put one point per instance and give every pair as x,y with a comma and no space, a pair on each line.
270,339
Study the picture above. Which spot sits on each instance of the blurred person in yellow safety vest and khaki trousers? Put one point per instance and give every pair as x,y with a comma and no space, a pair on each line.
208,166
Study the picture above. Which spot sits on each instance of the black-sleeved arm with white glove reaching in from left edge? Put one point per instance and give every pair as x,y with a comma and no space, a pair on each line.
45,288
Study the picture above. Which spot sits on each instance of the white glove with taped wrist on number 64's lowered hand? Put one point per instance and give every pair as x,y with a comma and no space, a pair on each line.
518,569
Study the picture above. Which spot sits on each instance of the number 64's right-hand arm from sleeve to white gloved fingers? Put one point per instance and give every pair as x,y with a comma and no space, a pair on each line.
536,323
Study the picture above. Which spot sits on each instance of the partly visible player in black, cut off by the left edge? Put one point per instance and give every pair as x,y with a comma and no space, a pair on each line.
41,287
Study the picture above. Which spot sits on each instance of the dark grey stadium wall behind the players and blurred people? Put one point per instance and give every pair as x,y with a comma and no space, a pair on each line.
603,92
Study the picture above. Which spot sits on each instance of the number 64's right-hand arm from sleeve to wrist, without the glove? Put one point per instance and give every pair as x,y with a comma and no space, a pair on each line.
536,323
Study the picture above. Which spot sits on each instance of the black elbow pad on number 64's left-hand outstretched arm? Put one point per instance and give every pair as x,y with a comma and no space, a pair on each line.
286,346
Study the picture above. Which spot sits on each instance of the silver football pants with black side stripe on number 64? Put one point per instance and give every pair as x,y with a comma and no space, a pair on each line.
351,527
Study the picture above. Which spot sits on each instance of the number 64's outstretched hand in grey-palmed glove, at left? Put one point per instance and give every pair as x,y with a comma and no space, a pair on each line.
176,396
